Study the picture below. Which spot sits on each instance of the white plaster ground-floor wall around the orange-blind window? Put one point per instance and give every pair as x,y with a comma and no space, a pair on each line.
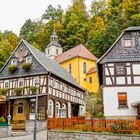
110,100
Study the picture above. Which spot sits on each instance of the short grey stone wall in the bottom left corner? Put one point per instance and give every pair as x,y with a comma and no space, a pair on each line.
5,131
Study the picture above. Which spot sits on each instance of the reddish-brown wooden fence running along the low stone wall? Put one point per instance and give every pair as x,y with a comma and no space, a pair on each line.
80,124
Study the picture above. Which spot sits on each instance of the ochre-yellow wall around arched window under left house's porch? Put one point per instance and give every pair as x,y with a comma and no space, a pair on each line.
16,115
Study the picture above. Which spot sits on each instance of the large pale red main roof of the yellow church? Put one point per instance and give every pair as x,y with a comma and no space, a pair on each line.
78,51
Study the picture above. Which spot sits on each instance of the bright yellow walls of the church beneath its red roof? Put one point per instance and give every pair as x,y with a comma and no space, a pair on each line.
78,74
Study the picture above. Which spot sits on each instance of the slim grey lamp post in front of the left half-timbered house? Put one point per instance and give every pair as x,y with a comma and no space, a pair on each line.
37,84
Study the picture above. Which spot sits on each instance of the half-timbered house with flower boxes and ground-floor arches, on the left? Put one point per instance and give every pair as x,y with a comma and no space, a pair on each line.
23,69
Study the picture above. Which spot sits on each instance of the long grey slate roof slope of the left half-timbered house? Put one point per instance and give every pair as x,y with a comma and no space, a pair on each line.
51,65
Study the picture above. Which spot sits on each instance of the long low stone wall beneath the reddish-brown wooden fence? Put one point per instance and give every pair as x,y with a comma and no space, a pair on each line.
57,135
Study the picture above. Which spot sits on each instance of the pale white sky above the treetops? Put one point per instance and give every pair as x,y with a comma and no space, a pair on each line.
13,13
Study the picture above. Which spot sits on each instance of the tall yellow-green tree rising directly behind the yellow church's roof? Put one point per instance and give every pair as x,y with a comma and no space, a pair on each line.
75,24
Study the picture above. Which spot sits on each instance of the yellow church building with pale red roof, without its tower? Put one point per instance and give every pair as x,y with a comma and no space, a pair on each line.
81,64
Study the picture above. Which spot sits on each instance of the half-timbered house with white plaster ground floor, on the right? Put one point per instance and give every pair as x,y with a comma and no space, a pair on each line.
119,73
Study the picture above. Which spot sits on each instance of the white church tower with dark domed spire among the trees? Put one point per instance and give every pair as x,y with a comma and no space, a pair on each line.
54,48
